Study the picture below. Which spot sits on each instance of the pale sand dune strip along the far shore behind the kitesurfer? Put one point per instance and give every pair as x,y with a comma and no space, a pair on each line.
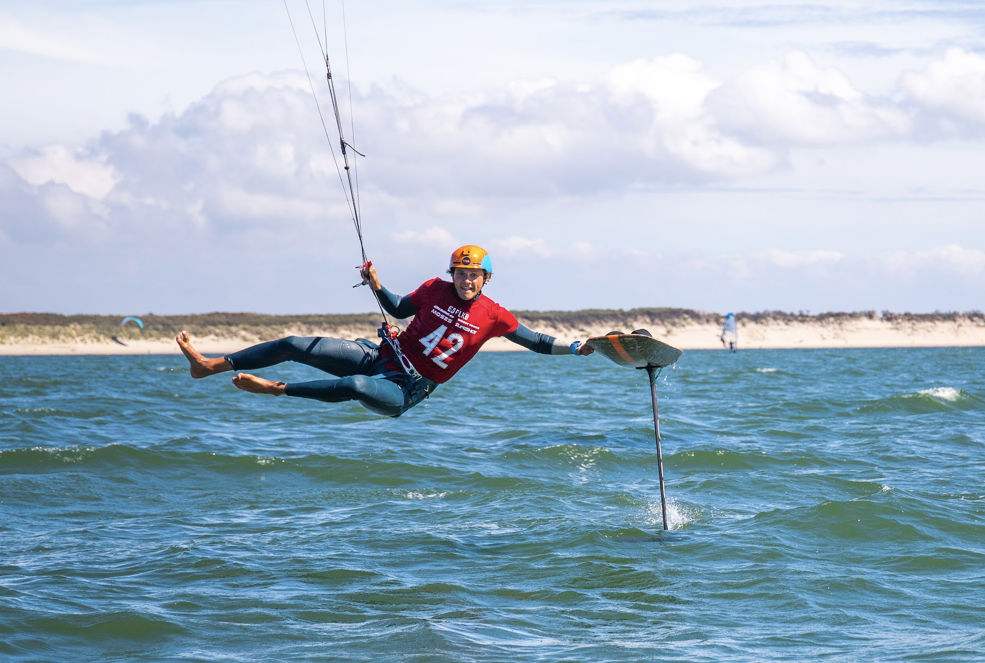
686,330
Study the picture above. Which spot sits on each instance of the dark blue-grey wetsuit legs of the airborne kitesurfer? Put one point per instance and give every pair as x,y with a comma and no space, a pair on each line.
352,362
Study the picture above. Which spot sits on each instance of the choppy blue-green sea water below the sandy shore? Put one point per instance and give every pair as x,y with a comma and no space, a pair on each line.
823,505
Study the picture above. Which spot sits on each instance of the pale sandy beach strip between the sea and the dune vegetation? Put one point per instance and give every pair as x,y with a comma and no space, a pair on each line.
841,331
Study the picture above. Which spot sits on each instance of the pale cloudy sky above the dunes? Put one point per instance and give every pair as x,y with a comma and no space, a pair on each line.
168,156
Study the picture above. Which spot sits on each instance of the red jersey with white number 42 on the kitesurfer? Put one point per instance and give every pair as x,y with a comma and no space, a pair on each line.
446,331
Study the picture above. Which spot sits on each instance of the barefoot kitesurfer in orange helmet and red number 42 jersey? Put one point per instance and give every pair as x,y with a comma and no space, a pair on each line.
451,321
